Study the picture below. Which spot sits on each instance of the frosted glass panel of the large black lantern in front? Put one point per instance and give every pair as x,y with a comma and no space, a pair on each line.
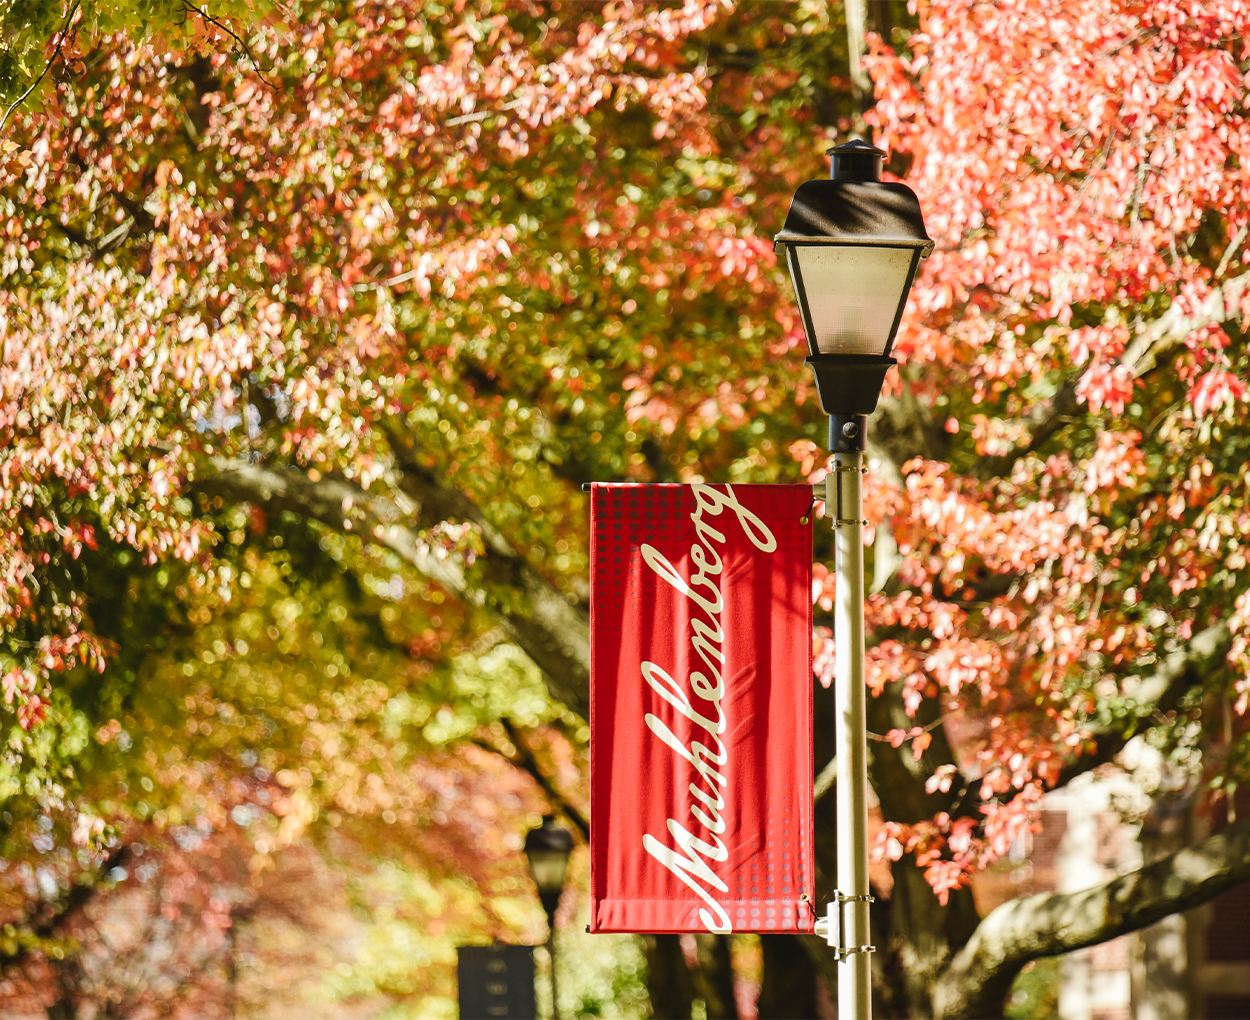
853,294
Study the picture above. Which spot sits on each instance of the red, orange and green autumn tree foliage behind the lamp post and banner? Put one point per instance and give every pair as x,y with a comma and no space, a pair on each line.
347,321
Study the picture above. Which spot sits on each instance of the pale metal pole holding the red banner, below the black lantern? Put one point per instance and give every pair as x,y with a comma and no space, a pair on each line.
851,916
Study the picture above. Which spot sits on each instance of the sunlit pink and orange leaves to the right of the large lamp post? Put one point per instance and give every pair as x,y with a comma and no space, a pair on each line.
1083,172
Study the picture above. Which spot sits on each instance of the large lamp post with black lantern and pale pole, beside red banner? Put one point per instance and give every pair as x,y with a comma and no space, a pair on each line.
853,246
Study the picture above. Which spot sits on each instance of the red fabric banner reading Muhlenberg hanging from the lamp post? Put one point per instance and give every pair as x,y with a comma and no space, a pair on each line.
701,708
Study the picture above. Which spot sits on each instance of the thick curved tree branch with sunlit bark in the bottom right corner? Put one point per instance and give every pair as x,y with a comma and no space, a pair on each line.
981,976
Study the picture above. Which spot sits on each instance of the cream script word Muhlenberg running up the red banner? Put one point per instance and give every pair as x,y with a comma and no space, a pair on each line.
689,862
